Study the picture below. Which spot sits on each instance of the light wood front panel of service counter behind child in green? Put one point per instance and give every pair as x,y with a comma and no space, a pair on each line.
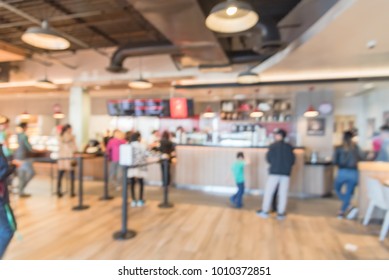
211,166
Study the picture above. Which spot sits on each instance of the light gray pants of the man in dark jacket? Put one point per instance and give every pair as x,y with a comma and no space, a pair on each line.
271,185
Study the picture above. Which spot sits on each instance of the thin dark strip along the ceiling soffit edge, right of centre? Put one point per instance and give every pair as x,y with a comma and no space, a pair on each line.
286,83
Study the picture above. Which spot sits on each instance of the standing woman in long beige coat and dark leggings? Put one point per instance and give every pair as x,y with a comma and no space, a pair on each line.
67,148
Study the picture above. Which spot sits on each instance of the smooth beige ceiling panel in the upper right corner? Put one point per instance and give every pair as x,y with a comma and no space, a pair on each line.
341,48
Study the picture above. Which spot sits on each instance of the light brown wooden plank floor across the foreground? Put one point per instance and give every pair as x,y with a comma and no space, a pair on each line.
198,227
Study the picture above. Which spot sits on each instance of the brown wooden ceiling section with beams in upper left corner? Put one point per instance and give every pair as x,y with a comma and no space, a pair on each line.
97,23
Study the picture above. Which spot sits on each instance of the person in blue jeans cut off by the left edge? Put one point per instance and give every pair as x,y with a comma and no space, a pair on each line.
7,220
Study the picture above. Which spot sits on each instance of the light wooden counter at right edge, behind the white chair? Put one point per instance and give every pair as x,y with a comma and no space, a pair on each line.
370,169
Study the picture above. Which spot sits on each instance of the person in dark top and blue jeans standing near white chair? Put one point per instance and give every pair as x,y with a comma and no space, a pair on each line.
346,158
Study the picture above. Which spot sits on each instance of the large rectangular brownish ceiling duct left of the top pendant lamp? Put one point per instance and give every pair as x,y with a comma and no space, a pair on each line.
187,29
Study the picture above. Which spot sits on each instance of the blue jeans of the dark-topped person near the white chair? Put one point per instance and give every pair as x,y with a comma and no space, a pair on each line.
349,178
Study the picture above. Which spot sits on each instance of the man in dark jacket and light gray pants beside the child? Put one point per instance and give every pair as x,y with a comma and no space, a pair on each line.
281,159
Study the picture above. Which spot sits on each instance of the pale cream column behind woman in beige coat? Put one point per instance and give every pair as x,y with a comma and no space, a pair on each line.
79,114
